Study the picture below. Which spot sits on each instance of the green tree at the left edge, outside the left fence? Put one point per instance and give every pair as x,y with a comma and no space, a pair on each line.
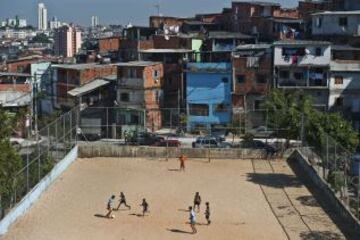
10,161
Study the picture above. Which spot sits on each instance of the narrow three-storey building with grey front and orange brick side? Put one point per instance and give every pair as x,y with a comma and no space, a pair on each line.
139,93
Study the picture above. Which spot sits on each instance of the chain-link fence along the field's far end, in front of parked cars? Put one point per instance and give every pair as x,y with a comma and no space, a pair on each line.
183,128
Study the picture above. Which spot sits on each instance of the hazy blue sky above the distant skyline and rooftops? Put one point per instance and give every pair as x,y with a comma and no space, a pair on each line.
114,11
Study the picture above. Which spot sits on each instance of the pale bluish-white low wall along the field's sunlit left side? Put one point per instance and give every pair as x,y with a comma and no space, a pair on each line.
30,198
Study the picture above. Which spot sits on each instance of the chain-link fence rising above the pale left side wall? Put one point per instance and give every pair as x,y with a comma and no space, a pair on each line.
39,156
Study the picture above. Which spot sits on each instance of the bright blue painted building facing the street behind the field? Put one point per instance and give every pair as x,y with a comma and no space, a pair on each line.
208,95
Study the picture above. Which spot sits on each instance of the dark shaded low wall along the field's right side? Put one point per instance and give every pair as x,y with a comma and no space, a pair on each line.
322,186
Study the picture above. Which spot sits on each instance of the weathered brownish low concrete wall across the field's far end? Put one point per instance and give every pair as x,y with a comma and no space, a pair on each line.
113,150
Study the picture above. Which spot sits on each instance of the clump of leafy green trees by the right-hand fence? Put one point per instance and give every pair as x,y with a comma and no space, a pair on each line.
294,113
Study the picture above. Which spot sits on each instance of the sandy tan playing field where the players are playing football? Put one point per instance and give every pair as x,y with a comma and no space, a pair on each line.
249,200
